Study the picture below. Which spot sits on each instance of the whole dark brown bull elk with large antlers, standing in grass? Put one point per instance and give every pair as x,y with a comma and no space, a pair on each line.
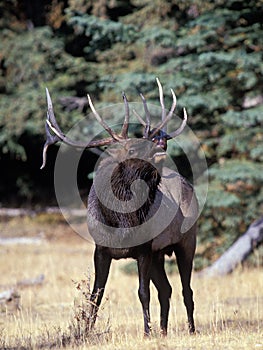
155,208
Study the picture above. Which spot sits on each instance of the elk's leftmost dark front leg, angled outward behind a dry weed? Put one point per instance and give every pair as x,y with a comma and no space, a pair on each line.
102,262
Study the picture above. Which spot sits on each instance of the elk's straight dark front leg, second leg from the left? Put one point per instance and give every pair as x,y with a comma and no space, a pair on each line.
144,267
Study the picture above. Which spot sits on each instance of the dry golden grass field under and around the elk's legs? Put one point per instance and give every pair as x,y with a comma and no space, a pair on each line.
228,314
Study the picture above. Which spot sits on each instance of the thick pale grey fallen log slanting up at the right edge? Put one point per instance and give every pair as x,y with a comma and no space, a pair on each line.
238,252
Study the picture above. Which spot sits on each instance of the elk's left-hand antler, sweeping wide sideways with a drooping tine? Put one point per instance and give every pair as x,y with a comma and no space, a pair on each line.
52,125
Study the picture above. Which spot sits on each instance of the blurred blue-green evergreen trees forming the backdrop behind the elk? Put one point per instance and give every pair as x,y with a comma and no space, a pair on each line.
209,52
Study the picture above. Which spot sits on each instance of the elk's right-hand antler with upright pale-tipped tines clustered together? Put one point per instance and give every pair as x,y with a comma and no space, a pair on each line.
165,117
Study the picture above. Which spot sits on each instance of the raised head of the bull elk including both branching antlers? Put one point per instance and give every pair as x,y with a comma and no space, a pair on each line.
130,149
